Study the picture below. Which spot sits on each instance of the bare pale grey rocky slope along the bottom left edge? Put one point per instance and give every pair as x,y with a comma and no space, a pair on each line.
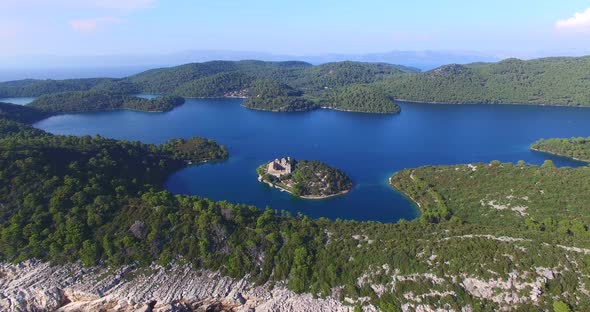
38,286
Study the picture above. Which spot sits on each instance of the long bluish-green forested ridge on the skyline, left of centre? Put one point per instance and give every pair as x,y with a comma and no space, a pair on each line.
299,75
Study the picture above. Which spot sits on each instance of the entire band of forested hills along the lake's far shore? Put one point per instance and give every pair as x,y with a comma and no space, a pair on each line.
347,86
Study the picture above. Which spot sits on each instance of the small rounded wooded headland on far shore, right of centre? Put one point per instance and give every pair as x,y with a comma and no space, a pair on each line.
361,98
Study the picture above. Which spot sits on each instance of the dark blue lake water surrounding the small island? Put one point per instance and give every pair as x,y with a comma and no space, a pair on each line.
369,148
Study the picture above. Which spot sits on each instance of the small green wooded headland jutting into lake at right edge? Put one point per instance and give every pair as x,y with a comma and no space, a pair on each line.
576,148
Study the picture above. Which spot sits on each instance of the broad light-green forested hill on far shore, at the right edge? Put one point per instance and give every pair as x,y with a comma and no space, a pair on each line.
551,81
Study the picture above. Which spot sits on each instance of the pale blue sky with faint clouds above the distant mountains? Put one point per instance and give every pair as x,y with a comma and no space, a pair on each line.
304,27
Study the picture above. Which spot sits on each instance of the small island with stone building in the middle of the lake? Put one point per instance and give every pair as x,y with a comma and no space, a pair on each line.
304,179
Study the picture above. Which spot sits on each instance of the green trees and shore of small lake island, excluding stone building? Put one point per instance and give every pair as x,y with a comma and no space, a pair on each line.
310,179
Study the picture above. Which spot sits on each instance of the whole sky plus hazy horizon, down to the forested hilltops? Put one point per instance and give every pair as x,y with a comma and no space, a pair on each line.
72,38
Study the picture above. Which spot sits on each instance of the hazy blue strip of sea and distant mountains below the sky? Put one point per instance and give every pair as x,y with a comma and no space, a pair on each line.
62,67
